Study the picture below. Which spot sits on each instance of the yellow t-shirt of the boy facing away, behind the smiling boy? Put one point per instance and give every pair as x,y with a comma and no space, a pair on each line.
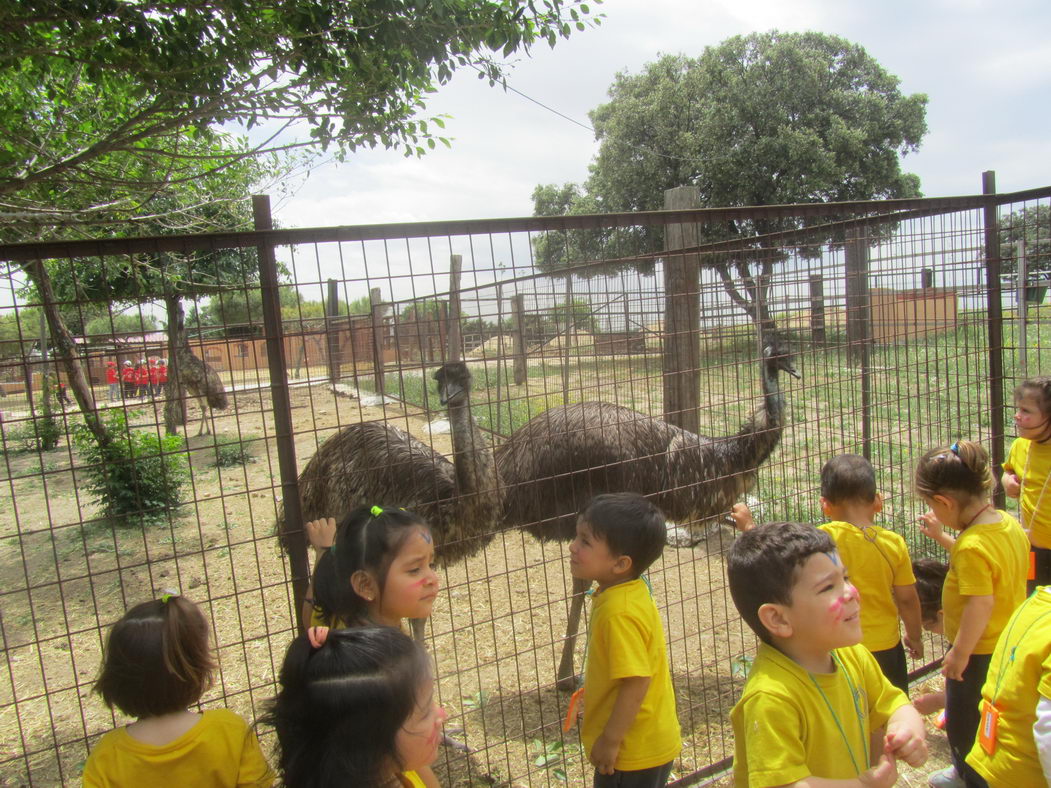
877,561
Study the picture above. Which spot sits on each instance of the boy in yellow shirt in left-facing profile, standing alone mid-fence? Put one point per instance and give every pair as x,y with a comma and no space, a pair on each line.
630,731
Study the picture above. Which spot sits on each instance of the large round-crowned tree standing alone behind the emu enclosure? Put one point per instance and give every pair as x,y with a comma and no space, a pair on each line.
765,119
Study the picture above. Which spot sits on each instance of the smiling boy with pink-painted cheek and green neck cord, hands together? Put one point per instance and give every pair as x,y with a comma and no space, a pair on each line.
815,695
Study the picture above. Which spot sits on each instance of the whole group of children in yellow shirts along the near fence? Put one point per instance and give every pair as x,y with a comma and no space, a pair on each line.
826,703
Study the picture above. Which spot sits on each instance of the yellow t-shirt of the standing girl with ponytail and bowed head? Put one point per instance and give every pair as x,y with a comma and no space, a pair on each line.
987,559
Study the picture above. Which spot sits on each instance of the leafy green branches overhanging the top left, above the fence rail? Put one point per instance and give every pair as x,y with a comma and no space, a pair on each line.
120,99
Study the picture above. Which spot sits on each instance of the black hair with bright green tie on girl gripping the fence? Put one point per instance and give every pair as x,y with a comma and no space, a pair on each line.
367,540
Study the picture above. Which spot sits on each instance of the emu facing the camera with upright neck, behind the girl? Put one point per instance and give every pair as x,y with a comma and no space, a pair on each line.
376,464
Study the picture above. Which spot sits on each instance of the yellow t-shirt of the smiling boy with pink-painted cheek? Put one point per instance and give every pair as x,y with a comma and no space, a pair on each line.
786,724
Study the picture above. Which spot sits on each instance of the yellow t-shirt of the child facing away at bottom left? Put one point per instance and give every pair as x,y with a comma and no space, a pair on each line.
220,752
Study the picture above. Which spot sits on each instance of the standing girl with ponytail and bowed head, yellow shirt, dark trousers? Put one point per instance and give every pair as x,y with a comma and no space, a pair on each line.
986,583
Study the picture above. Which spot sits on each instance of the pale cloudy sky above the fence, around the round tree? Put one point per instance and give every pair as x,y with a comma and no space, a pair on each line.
985,67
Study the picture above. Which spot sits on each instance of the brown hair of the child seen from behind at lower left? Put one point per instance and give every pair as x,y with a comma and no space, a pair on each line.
157,659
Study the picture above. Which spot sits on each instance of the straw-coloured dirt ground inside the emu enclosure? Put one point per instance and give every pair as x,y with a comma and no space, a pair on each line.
496,635
